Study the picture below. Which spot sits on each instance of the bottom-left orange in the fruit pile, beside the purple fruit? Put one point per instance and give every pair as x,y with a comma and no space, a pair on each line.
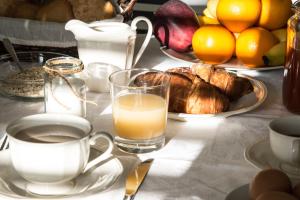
213,44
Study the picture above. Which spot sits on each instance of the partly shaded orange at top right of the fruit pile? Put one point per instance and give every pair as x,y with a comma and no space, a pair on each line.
274,13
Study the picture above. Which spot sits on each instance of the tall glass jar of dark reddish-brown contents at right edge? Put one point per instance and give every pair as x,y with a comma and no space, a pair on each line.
291,78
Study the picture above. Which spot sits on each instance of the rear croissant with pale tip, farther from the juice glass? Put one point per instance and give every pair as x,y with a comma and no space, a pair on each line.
231,85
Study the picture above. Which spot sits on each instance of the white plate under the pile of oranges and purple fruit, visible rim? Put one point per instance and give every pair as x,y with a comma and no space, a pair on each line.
233,64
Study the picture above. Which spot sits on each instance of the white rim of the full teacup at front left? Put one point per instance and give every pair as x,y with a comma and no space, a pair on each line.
87,134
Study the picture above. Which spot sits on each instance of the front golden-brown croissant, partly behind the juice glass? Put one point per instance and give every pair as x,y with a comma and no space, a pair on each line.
188,93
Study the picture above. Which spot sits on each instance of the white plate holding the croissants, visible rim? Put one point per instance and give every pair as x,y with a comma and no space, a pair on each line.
244,104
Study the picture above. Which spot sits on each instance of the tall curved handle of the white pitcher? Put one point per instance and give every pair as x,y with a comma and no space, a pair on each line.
147,38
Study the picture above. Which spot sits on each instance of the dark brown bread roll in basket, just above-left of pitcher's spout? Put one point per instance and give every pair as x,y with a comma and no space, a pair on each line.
56,11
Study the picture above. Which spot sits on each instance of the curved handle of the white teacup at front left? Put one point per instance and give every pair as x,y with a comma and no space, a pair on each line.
105,154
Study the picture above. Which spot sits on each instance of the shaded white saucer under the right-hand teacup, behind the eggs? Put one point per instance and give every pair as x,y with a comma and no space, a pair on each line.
261,156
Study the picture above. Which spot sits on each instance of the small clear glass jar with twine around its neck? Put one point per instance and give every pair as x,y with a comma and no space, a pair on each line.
65,91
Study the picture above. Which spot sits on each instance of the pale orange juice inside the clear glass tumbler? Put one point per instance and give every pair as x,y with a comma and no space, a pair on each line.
139,116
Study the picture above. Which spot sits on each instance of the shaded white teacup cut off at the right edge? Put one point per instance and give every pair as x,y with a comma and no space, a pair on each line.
285,141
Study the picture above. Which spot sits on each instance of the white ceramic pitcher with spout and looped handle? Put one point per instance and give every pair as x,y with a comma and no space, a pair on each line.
108,42
